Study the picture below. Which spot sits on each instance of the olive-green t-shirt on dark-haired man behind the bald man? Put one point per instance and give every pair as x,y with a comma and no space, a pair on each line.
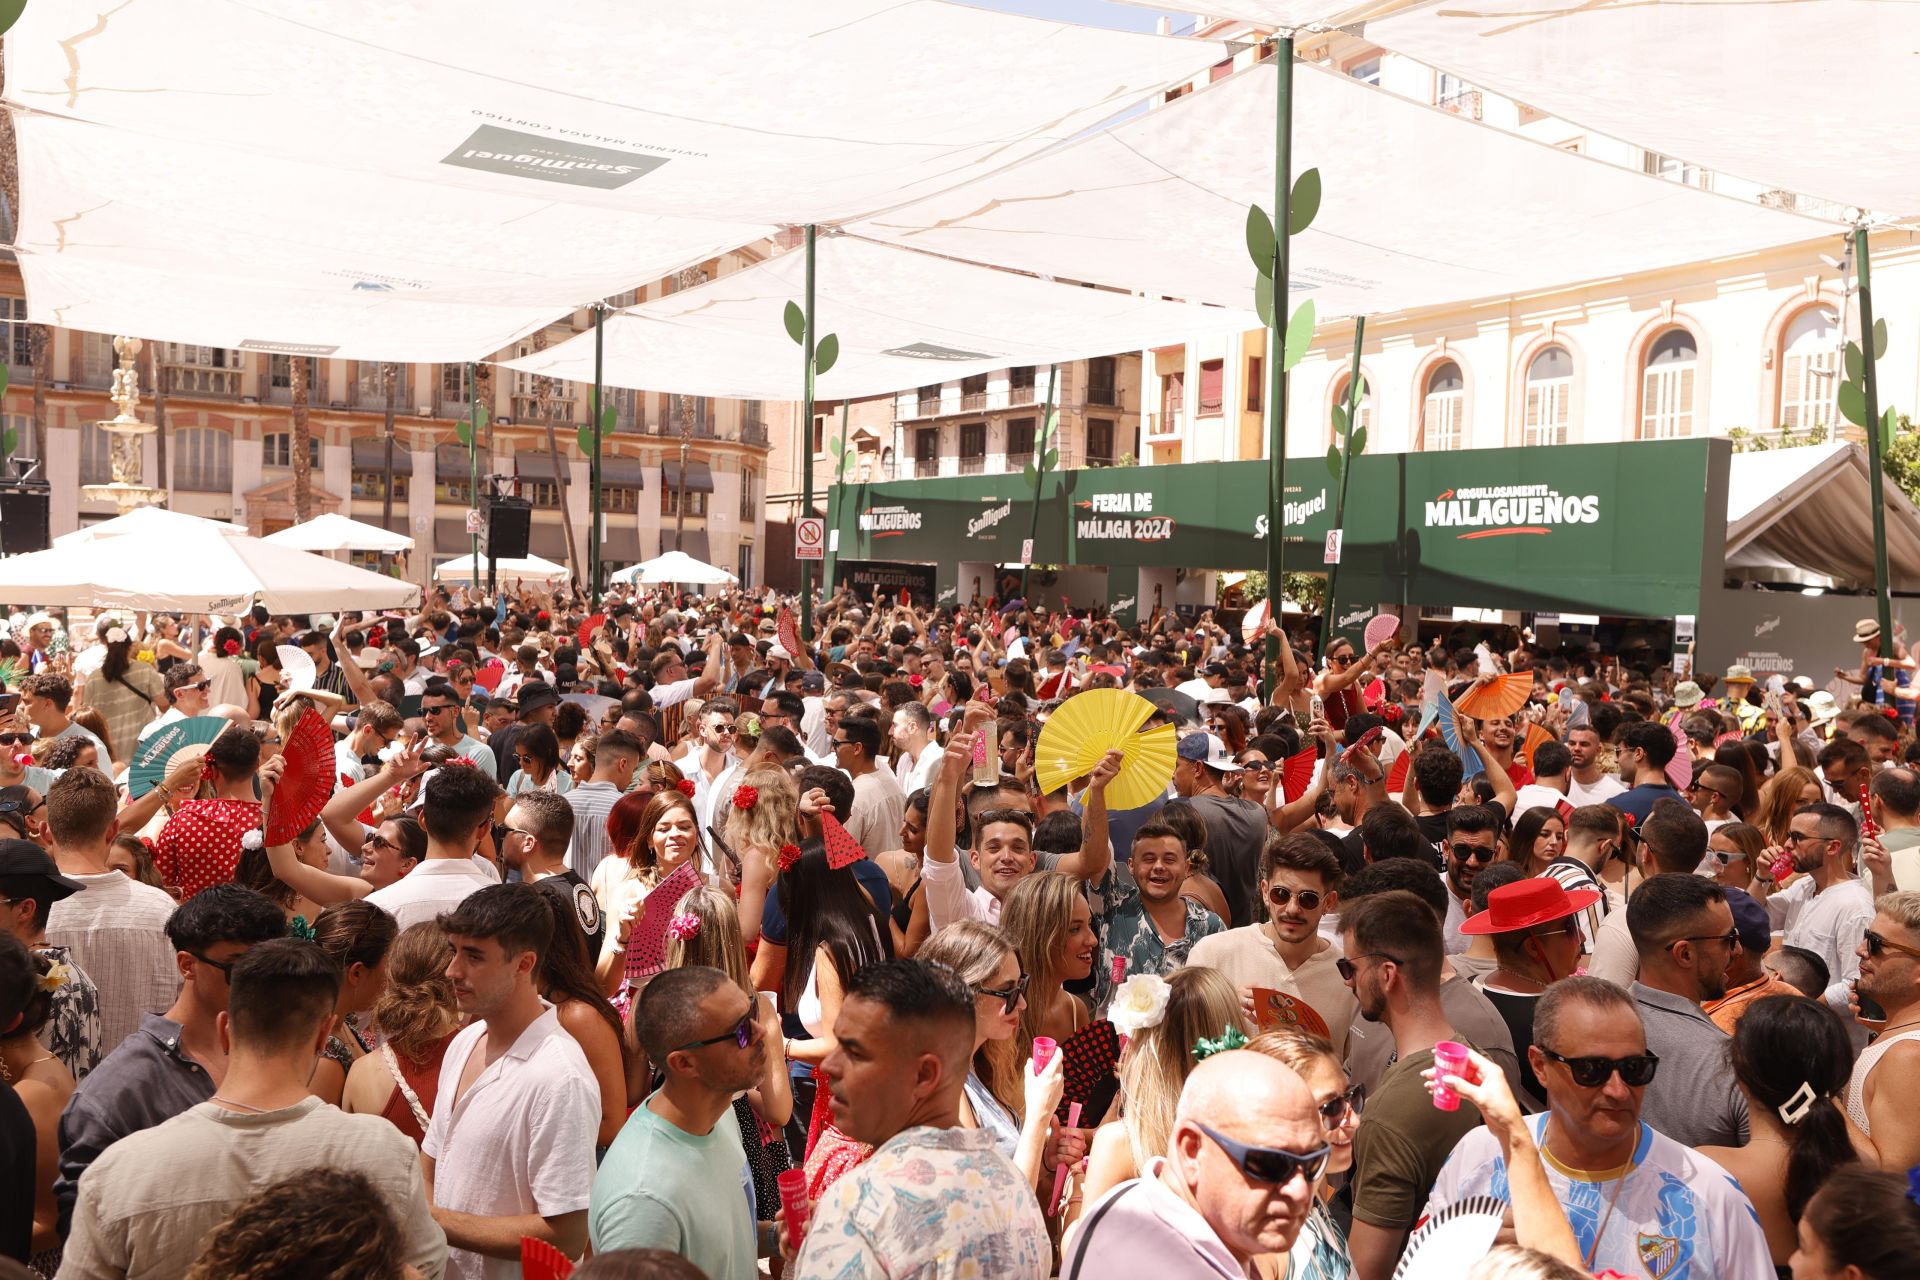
1401,1147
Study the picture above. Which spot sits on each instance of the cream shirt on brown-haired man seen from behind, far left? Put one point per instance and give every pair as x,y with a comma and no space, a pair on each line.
118,936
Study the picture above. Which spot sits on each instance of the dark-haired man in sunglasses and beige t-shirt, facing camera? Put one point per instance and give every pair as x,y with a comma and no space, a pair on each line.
1301,882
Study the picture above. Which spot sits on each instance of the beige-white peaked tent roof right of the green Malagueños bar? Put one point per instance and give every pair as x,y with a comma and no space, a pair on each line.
1806,511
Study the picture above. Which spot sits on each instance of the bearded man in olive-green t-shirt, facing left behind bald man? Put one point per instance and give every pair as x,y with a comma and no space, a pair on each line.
1393,964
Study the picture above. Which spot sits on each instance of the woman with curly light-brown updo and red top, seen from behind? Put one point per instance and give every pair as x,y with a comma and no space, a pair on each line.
418,1016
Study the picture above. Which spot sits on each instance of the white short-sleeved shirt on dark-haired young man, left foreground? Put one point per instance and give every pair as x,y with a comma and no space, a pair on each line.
519,1141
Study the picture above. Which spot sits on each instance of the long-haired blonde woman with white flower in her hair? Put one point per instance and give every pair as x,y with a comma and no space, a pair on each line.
1201,1005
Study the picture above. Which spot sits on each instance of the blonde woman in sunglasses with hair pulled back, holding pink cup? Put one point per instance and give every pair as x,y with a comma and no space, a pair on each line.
999,1091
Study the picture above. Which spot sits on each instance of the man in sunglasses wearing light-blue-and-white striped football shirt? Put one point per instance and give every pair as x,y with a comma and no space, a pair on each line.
1641,1204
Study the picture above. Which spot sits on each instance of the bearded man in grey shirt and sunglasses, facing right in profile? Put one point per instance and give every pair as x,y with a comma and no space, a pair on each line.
1685,934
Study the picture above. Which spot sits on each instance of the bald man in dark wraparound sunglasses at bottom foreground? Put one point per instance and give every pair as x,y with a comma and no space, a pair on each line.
1237,1181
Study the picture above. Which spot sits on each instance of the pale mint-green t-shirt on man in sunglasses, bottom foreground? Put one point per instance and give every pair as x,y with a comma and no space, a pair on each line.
665,1189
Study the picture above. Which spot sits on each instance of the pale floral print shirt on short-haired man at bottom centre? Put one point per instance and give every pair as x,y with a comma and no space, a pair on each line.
932,1204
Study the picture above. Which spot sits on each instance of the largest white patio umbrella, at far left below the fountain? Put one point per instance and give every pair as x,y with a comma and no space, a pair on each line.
199,567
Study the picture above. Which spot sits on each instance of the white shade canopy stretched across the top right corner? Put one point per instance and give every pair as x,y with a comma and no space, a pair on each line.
1810,97
